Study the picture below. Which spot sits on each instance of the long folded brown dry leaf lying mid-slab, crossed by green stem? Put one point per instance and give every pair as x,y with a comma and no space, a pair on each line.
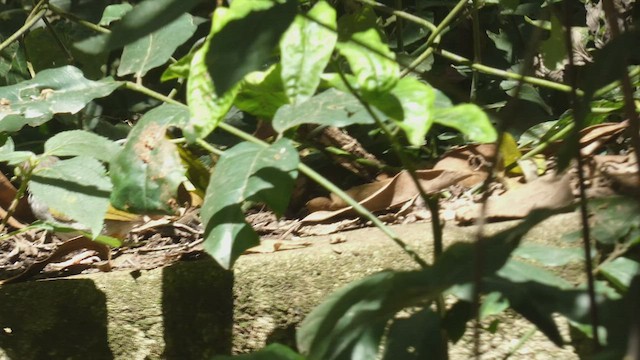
390,193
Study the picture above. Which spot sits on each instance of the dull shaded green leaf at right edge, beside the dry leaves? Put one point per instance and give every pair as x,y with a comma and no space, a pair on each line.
614,218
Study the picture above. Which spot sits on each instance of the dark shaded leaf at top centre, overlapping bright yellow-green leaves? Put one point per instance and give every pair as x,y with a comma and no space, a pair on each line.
246,40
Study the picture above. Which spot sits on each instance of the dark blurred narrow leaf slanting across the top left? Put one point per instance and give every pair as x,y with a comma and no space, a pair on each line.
145,18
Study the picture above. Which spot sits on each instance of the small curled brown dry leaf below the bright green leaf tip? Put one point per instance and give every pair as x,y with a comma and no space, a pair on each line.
471,159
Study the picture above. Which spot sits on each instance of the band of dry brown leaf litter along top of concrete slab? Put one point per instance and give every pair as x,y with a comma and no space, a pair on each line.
160,241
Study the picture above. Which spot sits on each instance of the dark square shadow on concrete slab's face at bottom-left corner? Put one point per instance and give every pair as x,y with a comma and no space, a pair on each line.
58,319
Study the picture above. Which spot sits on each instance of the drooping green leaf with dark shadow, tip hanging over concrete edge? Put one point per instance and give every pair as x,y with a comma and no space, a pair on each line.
246,172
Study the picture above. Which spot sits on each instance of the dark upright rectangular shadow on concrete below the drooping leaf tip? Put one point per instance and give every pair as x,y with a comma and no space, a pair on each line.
197,308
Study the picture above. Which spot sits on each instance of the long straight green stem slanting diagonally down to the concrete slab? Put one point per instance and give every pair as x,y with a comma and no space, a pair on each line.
321,180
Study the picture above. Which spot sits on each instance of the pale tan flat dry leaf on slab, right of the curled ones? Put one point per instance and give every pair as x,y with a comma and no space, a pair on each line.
549,192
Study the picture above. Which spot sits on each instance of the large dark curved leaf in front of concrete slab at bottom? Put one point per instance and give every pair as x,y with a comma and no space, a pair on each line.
336,323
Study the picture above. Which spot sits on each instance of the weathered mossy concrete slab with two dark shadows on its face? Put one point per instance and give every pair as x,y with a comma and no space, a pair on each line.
192,310
